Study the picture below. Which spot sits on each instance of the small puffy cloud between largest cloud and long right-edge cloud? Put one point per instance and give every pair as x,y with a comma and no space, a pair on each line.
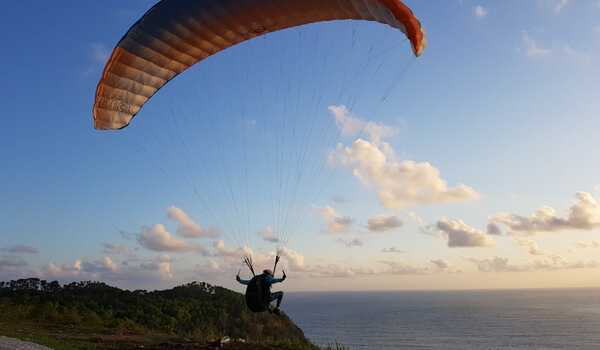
460,234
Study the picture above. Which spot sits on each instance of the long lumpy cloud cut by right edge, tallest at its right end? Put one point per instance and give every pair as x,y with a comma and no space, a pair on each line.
584,214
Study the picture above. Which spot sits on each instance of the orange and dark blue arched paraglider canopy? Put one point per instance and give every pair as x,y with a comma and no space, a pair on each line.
175,34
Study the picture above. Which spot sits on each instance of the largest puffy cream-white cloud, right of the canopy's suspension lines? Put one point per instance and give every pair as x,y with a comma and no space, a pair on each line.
399,184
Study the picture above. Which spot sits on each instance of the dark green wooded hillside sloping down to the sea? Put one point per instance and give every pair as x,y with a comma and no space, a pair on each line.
93,315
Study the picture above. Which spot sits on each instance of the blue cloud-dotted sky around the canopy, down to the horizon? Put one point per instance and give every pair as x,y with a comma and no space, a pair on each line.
470,167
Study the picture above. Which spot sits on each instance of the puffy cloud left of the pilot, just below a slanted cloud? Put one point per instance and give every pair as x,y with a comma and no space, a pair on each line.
158,239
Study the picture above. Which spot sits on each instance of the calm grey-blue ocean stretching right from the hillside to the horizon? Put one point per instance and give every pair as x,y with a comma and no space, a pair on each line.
461,320
